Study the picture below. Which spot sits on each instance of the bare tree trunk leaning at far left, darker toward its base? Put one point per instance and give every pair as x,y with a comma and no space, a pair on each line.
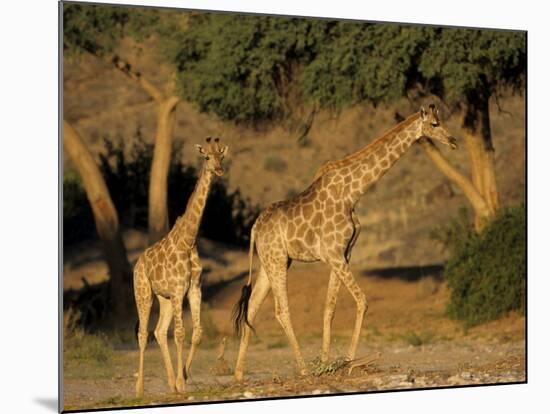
106,219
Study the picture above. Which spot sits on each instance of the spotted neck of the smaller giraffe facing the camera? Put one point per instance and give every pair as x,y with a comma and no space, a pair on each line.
187,226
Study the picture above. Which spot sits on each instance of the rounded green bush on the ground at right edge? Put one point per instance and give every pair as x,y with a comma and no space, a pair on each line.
486,272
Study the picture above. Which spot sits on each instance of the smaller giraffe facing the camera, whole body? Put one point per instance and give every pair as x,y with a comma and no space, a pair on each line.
171,269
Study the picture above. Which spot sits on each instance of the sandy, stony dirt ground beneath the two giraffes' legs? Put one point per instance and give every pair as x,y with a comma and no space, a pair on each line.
405,326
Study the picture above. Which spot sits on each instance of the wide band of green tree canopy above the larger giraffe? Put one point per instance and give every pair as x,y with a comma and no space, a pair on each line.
248,68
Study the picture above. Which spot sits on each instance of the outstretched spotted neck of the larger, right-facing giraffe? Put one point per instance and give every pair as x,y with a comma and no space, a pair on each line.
379,157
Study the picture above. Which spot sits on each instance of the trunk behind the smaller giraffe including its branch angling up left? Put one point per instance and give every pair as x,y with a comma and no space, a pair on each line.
158,182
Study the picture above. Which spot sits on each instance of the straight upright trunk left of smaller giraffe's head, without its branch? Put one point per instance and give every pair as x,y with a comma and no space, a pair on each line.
158,183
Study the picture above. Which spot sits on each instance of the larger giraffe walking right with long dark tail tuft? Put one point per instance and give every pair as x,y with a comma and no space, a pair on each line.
320,224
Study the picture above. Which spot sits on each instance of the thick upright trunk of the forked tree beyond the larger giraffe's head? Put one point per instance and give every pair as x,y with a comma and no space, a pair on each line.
476,129
